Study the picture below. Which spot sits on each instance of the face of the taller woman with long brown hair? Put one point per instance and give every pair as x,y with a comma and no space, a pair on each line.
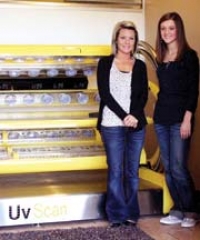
168,31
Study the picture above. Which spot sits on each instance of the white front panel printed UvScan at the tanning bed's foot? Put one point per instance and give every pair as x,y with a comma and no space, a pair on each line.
46,209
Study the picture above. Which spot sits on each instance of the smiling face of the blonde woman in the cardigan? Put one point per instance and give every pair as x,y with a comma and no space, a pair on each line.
126,41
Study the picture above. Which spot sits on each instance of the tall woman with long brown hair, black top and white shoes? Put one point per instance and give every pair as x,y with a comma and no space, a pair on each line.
178,75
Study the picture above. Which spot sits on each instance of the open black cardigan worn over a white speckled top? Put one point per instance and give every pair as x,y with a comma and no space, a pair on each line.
139,91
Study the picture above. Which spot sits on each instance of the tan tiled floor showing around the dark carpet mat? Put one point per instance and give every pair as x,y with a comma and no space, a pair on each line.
150,225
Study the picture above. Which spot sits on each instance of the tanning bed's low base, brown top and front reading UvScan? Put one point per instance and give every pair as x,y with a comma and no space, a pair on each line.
61,197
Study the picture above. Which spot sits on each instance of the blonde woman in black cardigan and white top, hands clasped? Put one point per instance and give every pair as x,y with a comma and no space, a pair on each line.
123,88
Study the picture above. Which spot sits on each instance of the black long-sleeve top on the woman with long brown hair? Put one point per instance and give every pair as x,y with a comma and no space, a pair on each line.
179,89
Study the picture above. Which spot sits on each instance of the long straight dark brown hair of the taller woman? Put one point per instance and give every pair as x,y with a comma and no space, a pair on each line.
183,45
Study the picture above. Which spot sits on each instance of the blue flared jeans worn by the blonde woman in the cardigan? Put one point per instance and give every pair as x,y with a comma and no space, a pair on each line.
123,149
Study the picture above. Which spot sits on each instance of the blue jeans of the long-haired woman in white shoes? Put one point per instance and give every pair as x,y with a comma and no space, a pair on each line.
174,156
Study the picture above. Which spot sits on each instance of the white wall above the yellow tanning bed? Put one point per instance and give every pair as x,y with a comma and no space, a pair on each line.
40,24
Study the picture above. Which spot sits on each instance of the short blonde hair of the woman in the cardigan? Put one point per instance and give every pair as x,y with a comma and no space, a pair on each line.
123,25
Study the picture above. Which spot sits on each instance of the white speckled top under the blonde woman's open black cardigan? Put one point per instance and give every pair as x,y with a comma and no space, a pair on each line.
120,89
